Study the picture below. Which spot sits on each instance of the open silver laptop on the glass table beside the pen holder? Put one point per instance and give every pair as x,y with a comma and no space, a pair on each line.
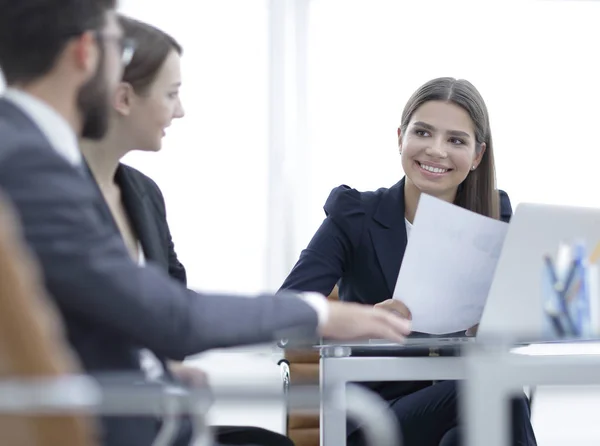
514,303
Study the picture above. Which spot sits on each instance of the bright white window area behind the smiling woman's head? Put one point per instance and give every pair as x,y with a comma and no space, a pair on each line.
536,64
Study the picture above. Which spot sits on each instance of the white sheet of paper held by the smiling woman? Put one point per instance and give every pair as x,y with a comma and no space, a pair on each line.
448,266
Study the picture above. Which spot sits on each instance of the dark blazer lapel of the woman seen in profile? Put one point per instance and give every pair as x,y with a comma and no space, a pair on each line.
142,216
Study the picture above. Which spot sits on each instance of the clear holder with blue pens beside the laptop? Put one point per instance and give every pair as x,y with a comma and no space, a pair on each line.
571,311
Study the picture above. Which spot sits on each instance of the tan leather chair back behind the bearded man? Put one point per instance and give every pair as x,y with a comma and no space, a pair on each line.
32,344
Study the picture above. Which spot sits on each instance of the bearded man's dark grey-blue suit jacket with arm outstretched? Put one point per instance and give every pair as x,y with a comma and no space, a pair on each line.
109,305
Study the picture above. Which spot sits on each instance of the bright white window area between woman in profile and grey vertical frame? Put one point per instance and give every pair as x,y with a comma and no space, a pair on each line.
212,168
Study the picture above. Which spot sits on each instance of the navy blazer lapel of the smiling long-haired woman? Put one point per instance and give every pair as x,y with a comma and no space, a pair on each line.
388,234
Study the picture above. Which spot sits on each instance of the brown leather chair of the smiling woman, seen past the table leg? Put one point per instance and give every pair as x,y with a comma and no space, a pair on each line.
303,429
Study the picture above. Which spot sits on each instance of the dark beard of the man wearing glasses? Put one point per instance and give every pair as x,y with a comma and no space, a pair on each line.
93,101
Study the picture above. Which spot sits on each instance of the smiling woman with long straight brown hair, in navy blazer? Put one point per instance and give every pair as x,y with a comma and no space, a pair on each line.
445,144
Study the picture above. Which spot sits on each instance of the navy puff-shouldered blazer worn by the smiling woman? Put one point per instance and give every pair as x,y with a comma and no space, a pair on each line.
360,246
